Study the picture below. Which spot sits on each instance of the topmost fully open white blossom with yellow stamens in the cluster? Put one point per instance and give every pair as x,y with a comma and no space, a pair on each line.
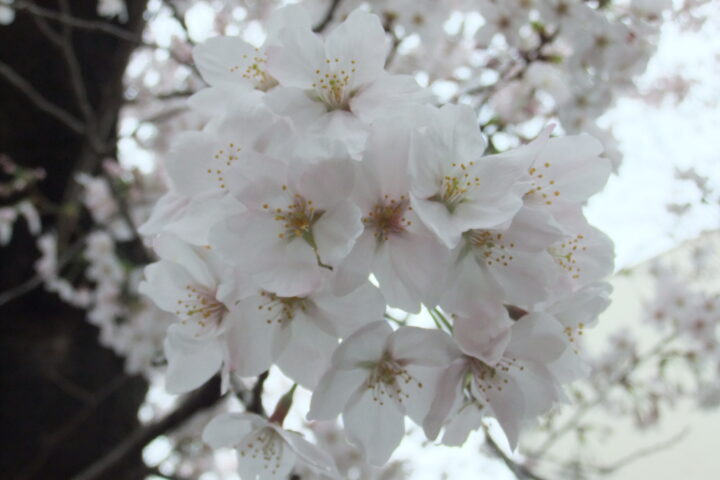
337,85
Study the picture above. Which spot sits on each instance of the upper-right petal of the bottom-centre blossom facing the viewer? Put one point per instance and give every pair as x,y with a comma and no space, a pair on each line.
422,346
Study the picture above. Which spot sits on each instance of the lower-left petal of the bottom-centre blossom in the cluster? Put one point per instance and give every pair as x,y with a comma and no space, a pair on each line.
333,391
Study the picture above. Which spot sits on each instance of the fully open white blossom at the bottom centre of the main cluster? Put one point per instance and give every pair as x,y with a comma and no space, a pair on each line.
375,378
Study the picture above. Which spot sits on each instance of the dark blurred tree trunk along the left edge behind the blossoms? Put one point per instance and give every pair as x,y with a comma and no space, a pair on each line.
64,399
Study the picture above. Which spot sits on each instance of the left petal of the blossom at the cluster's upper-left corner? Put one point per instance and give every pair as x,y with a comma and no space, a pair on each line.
225,60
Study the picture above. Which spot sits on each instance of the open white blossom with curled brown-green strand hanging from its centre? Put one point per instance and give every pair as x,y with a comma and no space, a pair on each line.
298,224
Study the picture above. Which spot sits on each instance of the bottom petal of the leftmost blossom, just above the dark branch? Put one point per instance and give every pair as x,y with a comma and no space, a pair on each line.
190,362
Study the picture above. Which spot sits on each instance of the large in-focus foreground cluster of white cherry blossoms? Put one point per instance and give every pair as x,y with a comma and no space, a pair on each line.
323,190
